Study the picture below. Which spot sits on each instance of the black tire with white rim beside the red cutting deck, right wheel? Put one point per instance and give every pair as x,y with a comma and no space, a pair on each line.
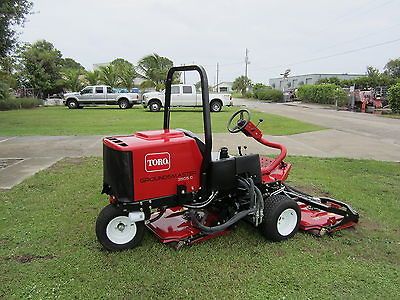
277,209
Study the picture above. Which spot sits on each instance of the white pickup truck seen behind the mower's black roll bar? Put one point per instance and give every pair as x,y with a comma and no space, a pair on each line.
185,96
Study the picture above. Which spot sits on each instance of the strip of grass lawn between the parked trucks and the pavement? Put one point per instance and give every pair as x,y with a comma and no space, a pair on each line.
101,120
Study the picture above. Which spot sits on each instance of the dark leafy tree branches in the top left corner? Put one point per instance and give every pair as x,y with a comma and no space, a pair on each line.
12,14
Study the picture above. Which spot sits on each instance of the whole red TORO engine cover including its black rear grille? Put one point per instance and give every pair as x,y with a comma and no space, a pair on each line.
161,160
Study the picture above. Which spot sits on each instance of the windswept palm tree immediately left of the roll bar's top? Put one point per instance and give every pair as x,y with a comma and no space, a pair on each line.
154,68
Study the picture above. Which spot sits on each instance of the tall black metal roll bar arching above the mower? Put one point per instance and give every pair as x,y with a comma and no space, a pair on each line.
206,112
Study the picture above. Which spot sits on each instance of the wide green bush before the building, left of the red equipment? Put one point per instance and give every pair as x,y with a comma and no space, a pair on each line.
322,94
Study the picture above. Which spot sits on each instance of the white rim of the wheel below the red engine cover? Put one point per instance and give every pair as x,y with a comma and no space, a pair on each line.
121,230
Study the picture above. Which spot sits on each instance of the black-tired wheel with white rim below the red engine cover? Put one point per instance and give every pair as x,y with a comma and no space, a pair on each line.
108,236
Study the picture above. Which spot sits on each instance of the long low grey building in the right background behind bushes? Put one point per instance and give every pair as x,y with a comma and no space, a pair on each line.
293,82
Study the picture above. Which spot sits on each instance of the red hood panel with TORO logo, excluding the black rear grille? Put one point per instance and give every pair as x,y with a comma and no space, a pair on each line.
162,160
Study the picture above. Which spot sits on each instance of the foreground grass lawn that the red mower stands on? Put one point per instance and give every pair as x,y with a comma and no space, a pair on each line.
49,249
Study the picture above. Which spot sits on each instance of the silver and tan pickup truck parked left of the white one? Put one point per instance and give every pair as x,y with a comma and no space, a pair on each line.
100,95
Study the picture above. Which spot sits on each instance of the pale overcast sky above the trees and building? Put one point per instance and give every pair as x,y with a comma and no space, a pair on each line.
309,36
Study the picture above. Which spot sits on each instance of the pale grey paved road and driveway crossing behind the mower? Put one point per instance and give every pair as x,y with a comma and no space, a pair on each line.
353,135
